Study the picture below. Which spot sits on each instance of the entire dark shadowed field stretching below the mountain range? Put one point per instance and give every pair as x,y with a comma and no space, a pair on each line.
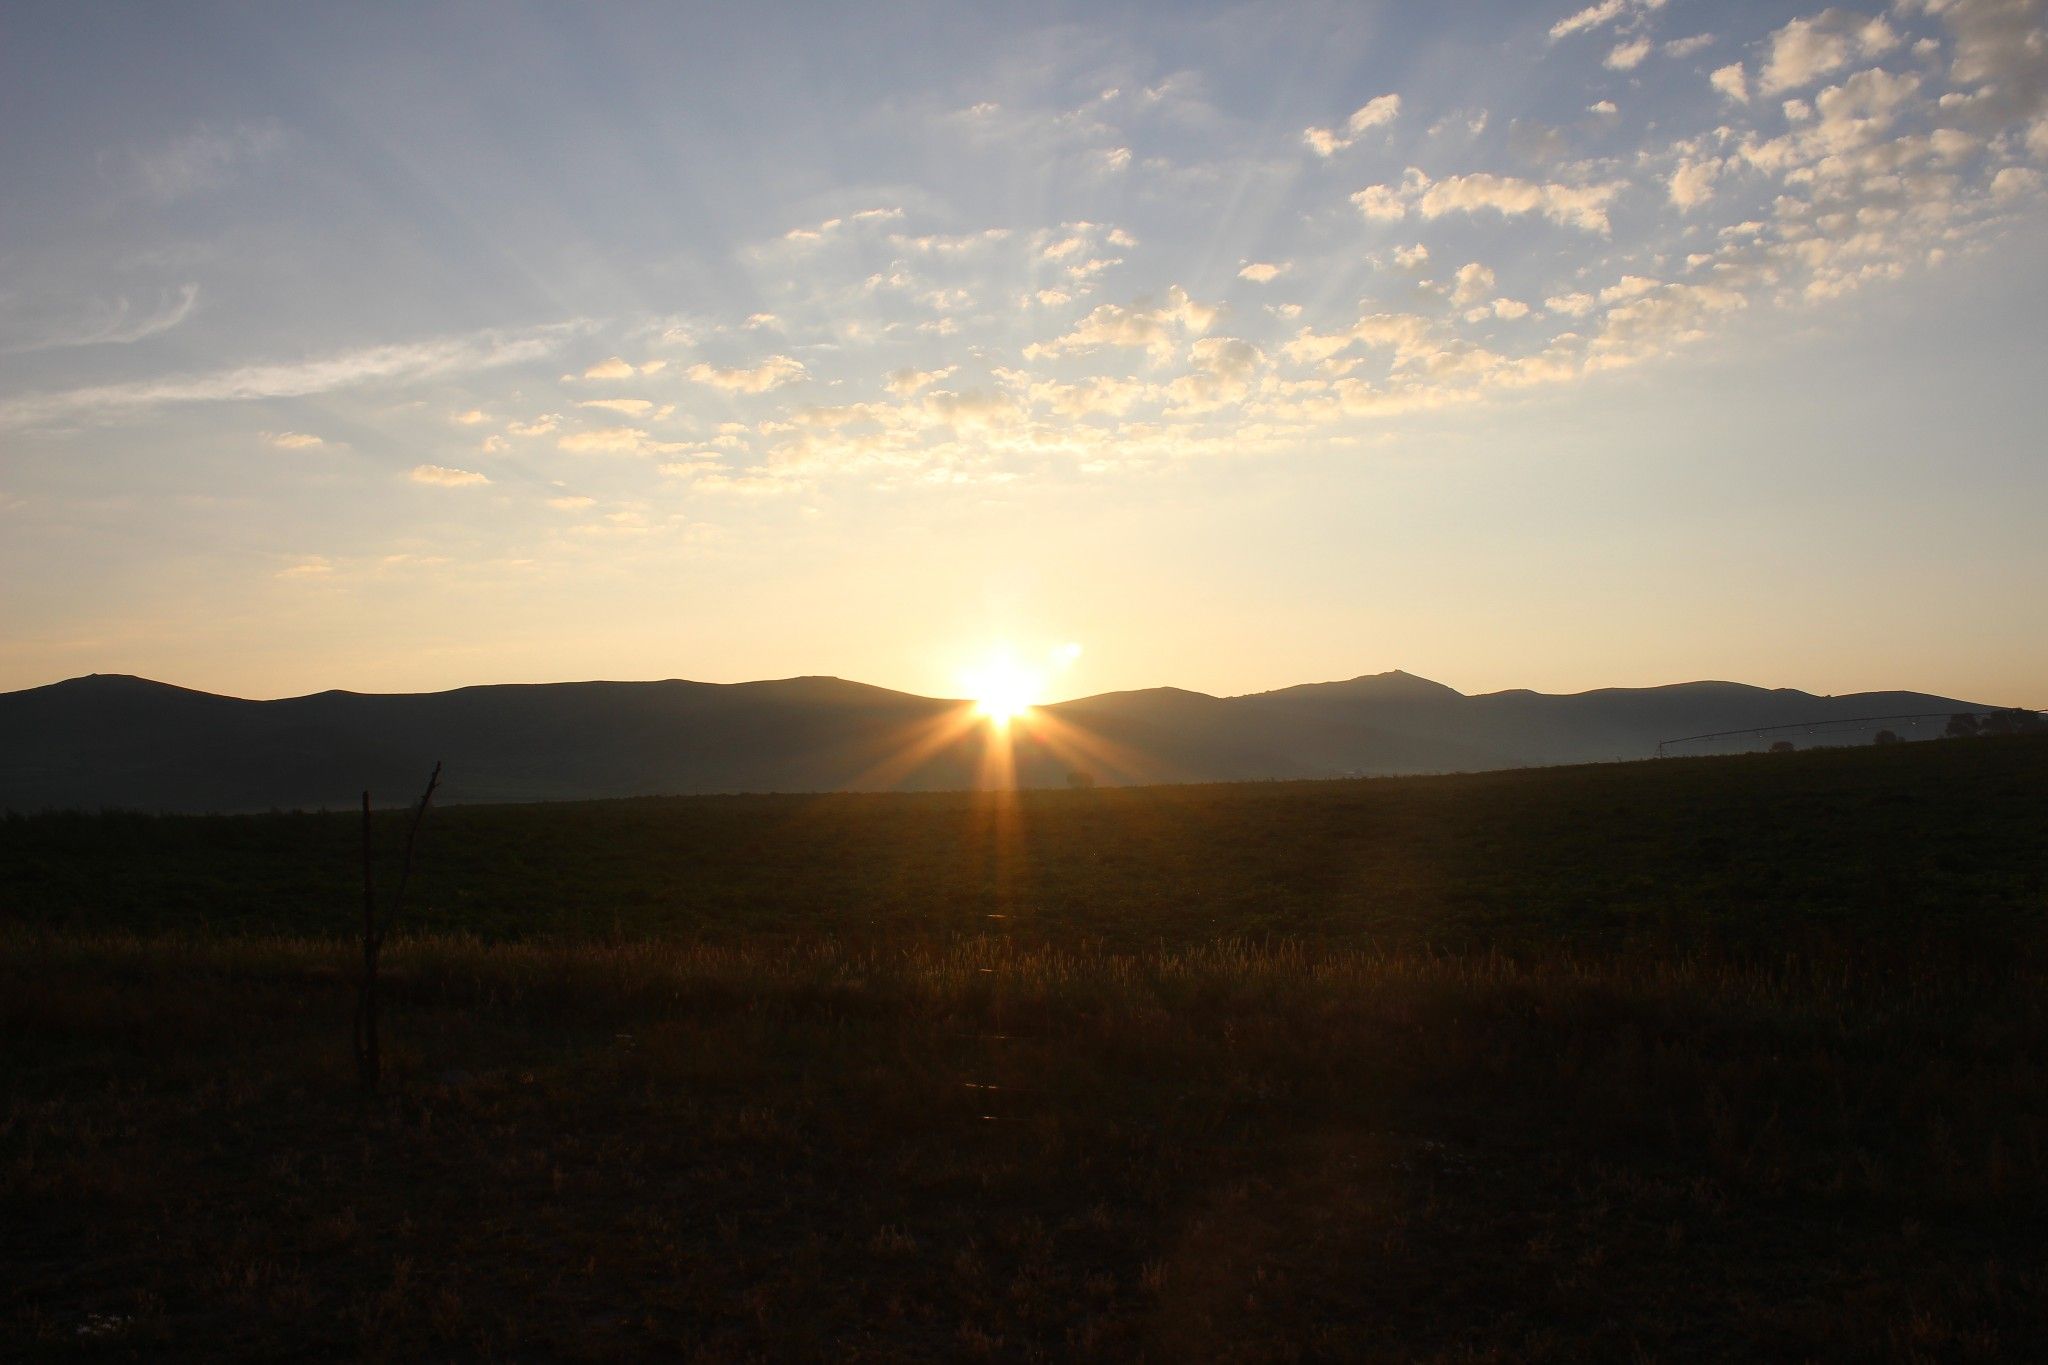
1676,1061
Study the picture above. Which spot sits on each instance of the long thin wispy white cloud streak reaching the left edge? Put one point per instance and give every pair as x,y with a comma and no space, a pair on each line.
407,361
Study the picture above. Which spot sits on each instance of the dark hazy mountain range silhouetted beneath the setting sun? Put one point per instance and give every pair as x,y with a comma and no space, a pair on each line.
138,744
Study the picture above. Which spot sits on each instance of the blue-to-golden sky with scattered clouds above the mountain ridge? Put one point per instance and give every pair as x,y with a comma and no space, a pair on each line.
1209,345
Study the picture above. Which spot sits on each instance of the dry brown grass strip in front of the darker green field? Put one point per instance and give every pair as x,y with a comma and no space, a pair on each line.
978,1149
